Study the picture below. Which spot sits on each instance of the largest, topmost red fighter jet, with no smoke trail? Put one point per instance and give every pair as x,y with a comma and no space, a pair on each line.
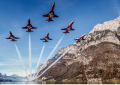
50,14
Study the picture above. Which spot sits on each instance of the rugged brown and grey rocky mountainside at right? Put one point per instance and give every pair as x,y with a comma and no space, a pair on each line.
96,57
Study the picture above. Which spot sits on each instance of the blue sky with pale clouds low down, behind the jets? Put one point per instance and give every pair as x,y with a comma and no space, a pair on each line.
14,14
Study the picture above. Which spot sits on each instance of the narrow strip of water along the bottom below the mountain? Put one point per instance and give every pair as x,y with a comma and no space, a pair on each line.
60,83
